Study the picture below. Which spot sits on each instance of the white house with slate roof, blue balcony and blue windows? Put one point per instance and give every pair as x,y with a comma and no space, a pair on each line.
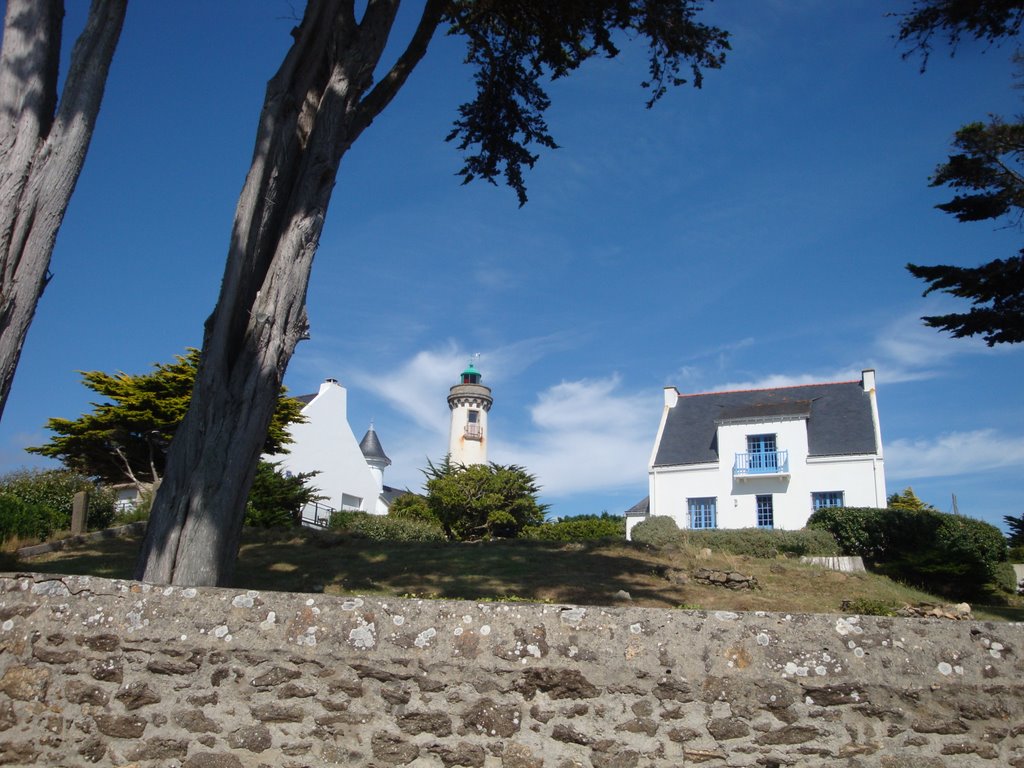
765,458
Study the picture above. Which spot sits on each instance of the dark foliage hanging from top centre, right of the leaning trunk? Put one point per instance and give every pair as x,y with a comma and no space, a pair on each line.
513,46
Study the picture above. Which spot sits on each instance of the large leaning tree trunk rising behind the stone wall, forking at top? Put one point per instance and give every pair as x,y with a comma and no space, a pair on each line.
317,105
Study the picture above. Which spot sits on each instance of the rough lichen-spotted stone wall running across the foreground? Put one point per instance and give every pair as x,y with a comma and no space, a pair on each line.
97,672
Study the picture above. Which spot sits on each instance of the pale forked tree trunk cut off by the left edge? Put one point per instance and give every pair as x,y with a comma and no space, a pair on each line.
42,149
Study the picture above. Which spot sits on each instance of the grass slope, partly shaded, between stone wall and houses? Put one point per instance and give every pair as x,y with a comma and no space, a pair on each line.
592,574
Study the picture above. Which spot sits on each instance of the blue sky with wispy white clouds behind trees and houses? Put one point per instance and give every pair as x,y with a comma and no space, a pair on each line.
750,234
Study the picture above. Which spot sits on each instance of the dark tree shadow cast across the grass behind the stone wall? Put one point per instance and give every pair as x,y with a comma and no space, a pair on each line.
544,572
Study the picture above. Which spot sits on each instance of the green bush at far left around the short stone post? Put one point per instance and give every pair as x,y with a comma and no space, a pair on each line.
52,494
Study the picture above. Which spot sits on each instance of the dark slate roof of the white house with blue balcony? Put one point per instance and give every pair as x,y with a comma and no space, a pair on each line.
839,420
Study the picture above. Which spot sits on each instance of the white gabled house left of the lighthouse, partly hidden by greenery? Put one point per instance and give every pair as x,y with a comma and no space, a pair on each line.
351,475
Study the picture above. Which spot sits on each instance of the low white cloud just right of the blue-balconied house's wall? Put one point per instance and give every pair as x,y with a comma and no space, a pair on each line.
954,454
